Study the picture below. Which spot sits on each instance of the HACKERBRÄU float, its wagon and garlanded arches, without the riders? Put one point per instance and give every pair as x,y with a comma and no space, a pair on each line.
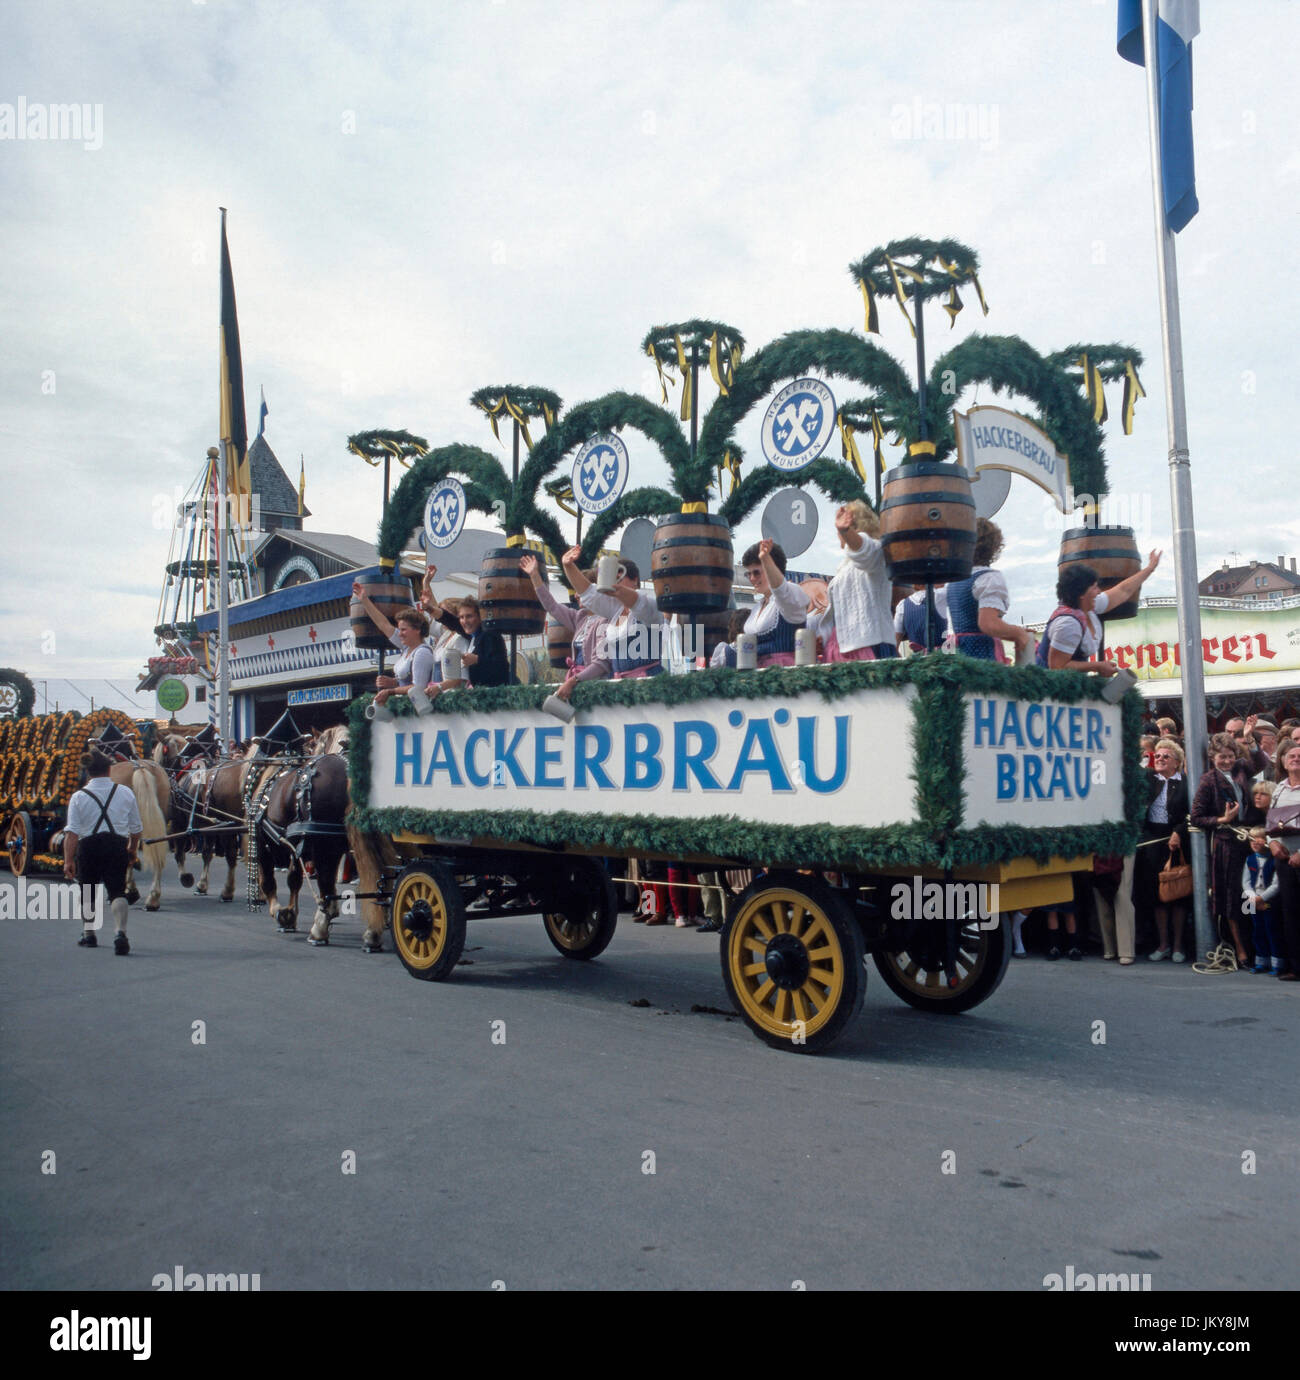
896,808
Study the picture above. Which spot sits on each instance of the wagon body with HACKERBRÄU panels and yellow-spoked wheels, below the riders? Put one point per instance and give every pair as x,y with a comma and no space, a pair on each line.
894,809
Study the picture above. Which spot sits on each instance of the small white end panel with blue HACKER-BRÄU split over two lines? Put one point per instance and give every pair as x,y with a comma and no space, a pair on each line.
1043,764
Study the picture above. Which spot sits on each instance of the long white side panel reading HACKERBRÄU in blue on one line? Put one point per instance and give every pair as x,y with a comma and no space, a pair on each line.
807,761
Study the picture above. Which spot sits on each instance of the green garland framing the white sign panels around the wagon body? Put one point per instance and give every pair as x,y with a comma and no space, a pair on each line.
939,714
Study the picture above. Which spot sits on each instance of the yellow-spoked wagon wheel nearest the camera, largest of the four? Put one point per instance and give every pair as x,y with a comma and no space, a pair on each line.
793,961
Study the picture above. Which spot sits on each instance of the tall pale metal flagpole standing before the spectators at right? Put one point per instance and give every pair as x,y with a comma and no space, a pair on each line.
1185,532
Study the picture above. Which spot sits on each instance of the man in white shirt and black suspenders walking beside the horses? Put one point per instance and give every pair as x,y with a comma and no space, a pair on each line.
100,845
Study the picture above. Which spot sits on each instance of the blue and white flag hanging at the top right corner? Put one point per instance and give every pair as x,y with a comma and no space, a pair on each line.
1178,23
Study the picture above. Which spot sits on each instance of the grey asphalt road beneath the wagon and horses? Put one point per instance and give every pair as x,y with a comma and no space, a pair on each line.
522,1153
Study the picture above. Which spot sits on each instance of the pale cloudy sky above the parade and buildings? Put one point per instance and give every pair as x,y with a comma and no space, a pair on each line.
431,198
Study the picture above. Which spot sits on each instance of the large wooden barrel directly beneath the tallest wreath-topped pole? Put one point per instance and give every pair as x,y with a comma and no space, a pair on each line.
928,524
